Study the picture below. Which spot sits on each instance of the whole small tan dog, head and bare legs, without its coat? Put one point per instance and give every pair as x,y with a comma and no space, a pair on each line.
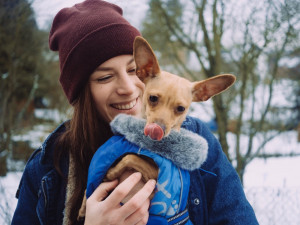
166,100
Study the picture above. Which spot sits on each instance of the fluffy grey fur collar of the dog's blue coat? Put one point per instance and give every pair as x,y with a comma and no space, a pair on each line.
185,149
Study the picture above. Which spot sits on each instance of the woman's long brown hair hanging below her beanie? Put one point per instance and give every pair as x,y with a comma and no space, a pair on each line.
85,132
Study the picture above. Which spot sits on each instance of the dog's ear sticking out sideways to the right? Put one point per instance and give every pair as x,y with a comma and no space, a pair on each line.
203,90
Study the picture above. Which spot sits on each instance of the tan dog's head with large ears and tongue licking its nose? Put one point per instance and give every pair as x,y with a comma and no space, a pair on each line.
167,97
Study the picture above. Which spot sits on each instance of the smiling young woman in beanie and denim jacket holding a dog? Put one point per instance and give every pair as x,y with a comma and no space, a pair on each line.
98,77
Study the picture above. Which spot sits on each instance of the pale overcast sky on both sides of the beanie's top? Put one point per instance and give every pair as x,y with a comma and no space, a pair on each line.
134,10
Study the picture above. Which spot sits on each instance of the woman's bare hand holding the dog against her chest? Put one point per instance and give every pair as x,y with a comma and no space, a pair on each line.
108,211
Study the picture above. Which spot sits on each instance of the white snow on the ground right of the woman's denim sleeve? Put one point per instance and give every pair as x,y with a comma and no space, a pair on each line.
272,186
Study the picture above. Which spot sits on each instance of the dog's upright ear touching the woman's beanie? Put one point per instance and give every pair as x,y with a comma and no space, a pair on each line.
146,63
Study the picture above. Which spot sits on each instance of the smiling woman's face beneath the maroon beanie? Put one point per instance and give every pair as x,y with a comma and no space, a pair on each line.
116,89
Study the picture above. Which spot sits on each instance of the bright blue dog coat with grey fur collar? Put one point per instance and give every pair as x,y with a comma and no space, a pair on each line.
174,155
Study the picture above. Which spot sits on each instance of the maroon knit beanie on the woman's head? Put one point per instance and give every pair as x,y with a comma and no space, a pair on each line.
86,35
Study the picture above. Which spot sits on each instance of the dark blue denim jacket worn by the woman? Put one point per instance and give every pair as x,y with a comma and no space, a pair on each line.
212,199
